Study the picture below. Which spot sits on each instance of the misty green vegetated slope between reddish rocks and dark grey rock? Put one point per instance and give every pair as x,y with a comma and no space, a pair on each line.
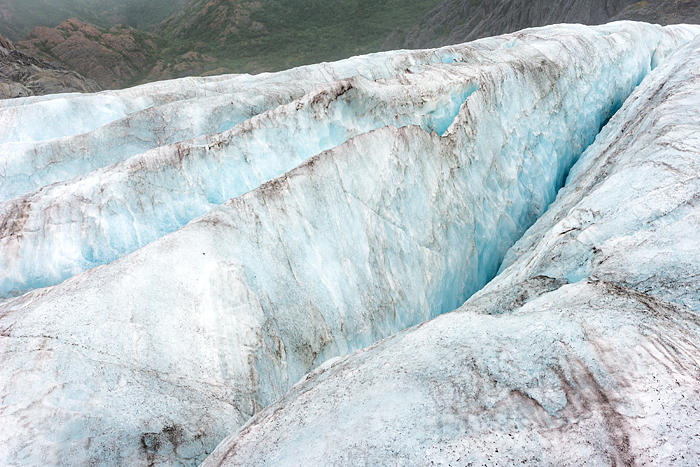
269,35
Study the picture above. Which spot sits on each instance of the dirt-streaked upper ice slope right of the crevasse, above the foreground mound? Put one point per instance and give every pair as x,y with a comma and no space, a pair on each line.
639,223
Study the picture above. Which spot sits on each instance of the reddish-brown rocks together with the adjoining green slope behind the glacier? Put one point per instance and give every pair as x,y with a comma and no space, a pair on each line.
223,36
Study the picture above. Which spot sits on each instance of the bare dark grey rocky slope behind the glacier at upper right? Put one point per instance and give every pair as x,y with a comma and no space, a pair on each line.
457,21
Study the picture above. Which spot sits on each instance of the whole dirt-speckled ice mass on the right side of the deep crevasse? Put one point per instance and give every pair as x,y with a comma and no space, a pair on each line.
532,370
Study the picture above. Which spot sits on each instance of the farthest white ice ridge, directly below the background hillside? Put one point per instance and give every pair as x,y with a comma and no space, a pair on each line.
48,139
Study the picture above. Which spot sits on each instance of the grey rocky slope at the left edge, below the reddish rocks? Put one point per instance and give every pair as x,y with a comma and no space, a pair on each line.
23,75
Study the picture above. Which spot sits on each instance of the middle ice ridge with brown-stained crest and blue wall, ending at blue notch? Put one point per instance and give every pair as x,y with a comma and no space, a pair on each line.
123,207
